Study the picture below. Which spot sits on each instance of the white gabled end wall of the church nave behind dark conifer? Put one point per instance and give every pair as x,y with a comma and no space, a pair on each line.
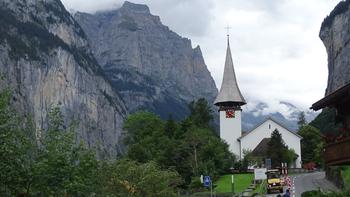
251,140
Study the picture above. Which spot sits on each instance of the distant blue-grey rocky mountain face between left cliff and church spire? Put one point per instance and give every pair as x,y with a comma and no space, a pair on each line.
149,65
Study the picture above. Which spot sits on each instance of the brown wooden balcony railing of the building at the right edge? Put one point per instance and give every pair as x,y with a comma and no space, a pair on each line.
338,153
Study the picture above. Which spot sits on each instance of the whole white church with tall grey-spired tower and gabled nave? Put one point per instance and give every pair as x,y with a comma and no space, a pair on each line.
229,101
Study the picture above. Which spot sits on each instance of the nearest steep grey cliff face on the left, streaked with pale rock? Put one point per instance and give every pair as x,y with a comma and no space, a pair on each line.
45,59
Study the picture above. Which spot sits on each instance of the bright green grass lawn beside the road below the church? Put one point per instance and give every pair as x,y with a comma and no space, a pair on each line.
242,181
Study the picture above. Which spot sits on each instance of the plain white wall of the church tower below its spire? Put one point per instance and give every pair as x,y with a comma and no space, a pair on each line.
230,131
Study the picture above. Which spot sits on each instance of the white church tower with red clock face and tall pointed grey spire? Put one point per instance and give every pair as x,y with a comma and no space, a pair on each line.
230,101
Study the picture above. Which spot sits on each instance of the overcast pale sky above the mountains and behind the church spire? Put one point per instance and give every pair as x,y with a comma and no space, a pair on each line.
275,45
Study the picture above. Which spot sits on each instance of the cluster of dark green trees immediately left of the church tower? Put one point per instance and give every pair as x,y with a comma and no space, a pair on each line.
190,147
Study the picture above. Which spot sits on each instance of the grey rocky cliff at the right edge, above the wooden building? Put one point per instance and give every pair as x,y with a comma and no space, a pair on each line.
335,34
